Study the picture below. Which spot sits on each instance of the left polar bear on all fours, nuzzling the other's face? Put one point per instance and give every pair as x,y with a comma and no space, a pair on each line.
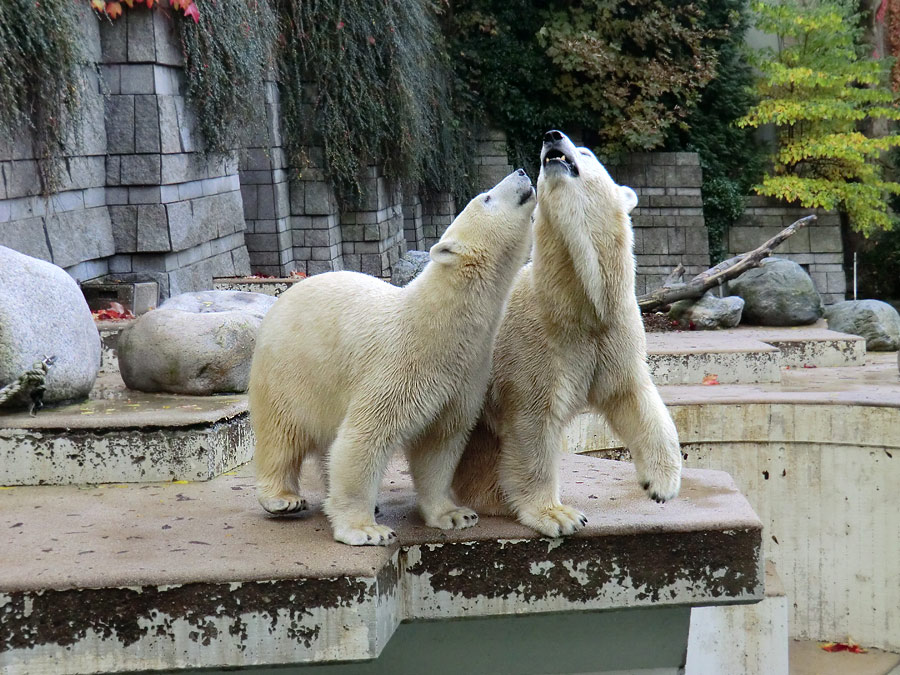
352,368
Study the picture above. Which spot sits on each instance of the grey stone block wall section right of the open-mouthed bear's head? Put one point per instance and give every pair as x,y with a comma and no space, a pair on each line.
668,221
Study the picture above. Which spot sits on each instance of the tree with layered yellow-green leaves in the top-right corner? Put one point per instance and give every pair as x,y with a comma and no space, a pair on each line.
818,89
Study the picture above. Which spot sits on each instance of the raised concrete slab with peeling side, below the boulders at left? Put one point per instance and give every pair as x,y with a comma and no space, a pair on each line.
125,436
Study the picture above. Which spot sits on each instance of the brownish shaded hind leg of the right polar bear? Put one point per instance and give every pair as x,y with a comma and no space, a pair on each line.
477,479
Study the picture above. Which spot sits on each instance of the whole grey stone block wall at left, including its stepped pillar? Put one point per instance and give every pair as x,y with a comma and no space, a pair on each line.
140,200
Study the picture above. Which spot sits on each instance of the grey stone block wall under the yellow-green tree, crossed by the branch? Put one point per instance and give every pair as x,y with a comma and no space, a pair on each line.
818,248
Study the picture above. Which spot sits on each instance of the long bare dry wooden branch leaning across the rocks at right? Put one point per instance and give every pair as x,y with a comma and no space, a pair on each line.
714,276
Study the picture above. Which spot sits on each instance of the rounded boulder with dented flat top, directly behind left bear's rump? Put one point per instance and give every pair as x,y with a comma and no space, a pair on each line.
195,343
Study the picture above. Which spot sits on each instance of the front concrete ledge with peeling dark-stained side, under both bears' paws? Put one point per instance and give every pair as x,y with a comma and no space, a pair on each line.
168,576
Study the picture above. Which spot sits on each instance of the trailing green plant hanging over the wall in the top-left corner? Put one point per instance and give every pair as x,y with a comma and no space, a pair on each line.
40,78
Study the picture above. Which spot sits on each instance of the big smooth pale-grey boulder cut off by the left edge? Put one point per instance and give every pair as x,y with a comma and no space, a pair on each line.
43,313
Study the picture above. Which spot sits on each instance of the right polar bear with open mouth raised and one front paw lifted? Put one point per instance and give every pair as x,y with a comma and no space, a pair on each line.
571,340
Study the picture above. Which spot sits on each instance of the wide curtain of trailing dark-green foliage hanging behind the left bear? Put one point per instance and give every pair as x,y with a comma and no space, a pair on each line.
370,82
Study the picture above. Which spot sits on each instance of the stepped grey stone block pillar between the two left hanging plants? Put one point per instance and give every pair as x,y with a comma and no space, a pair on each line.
176,212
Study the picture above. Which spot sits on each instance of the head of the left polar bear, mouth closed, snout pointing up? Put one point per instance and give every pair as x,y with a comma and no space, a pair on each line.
492,234
